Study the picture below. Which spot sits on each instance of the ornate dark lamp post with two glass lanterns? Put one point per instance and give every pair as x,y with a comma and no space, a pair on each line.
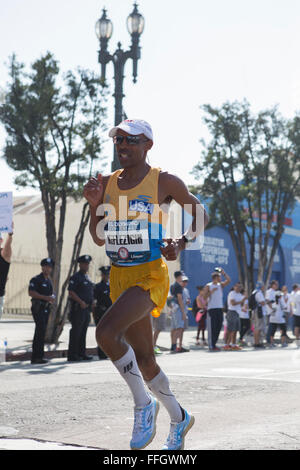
104,29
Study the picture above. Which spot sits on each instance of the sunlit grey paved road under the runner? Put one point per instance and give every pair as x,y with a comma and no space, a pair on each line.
241,400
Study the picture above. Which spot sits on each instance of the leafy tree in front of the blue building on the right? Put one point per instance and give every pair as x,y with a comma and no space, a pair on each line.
250,171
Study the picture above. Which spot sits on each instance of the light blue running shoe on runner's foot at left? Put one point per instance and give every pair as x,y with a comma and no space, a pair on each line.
144,427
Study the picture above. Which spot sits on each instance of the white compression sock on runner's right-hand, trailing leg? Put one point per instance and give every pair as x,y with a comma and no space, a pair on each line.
161,389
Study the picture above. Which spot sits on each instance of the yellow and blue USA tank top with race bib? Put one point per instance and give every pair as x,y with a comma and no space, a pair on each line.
134,222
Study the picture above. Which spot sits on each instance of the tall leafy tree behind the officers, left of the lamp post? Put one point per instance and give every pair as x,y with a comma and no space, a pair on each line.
53,125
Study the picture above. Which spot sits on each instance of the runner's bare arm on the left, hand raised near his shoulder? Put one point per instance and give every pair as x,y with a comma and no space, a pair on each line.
93,192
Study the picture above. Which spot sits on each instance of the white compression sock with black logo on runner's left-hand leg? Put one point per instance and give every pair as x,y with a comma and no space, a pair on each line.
129,370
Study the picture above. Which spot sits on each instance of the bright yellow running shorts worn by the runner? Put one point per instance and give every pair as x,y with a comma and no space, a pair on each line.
152,276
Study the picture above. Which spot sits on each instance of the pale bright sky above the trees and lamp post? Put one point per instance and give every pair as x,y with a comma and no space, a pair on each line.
193,52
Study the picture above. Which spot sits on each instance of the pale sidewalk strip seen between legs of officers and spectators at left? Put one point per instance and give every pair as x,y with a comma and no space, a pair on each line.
19,334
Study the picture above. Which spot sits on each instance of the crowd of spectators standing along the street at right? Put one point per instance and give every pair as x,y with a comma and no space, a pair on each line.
247,319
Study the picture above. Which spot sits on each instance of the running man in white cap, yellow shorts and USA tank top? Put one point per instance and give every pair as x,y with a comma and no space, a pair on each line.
139,280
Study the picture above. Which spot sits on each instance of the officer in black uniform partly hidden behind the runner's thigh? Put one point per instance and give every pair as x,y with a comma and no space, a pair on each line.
102,301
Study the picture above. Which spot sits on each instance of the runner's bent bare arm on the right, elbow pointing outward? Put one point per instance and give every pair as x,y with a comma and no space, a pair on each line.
172,187
